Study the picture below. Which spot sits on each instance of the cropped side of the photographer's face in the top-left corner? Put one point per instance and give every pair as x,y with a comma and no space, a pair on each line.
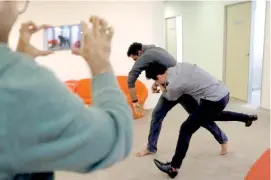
9,11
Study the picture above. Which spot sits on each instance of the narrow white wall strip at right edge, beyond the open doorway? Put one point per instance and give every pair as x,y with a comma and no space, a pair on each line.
265,102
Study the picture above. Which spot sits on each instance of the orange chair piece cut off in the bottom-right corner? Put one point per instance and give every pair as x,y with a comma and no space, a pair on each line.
261,169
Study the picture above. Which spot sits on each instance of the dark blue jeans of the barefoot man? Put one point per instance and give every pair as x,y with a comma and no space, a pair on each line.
190,105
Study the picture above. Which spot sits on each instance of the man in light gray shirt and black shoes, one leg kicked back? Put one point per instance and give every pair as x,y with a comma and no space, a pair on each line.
212,97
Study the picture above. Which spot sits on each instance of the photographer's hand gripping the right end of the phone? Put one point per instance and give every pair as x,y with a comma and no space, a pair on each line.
96,45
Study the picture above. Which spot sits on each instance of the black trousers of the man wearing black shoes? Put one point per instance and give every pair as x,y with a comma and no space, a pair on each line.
206,112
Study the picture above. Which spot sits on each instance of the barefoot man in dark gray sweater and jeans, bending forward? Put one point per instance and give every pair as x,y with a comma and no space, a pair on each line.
144,55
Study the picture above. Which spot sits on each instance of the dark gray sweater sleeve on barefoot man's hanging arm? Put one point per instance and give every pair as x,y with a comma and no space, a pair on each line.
139,66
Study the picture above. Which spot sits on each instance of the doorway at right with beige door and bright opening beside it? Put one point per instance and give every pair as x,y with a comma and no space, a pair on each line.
244,50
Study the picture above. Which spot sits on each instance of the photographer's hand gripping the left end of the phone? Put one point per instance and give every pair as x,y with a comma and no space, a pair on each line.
26,31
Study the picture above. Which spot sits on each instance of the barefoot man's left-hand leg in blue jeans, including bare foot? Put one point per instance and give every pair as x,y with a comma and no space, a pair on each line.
160,111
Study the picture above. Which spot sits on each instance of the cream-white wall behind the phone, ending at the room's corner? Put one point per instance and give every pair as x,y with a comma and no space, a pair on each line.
132,21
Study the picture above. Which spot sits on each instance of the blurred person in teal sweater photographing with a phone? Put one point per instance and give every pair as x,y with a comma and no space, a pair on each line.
44,126
